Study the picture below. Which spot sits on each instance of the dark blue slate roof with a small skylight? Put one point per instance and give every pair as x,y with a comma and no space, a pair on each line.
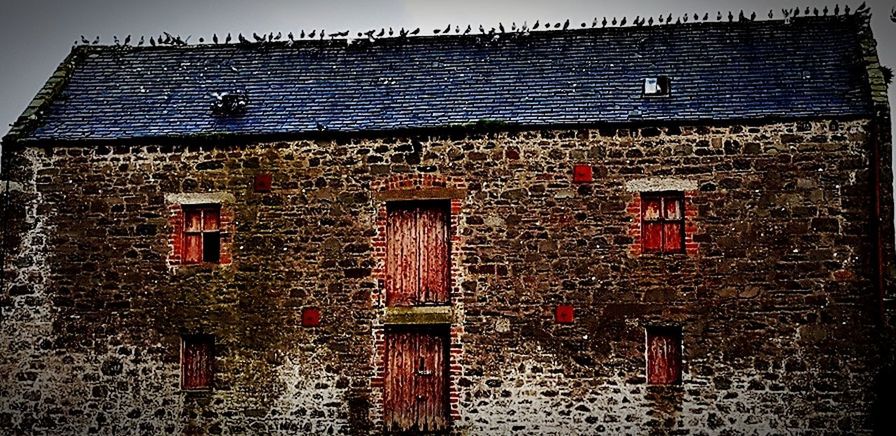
809,67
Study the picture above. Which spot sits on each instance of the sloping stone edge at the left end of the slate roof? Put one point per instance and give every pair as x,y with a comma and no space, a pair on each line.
31,116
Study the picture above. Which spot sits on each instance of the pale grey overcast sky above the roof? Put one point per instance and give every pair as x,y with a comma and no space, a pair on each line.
36,35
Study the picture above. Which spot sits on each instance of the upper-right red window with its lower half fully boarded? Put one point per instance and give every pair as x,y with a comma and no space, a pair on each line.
662,222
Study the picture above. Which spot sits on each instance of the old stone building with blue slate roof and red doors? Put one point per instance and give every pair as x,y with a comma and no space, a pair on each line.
646,229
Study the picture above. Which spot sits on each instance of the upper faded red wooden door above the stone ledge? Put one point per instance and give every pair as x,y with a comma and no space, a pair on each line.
417,253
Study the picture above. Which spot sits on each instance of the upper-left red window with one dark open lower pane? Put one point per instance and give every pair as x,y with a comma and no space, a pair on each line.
202,234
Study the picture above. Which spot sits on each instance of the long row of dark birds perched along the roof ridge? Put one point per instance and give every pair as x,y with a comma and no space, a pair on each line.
493,33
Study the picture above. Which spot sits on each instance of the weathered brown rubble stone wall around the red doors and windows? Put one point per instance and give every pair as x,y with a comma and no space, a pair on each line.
775,294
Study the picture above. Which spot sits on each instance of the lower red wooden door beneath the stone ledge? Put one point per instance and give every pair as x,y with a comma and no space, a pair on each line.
415,395
